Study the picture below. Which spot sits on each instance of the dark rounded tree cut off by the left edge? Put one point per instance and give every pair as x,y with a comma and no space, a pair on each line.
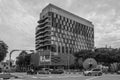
3,50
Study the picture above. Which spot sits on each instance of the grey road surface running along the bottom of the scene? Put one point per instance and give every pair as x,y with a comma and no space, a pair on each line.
23,76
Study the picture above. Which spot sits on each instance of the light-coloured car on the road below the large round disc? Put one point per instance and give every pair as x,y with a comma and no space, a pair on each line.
93,72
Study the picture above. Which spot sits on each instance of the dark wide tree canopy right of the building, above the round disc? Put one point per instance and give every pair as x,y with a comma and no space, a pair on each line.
104,56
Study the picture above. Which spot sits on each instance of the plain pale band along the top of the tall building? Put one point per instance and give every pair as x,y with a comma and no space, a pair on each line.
62,12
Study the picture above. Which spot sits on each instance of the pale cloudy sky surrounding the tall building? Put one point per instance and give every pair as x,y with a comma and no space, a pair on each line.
18,20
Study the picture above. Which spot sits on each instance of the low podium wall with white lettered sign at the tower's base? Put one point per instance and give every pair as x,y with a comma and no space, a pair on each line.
46,58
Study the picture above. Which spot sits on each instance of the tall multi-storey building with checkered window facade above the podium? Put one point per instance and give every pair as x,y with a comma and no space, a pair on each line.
61,32
